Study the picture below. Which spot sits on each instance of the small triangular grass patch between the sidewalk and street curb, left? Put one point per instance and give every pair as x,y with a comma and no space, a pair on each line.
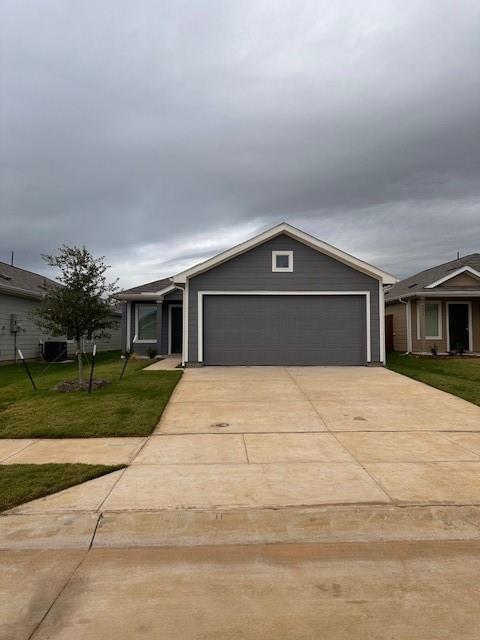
21,483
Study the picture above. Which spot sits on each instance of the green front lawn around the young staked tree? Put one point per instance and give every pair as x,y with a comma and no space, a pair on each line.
128,407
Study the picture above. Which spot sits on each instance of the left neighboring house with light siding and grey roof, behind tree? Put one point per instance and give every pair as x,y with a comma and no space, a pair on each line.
20,293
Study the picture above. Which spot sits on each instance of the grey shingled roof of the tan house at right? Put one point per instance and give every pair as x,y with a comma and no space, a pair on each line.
422,282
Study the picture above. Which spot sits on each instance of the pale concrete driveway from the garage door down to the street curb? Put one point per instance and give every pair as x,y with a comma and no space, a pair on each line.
240,438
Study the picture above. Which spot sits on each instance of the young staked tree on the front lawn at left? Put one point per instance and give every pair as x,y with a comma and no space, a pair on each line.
81,306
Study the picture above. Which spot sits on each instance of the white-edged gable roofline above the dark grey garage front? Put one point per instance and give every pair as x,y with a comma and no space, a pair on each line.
297,234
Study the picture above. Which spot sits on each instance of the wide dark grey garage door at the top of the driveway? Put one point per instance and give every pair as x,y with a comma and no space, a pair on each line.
284,330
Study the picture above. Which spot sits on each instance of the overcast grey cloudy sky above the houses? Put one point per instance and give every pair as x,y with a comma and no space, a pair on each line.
158,133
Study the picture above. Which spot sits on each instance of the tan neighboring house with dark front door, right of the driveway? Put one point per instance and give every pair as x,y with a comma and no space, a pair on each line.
437,308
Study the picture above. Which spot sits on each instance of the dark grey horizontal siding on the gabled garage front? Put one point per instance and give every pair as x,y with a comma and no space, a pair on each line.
252,271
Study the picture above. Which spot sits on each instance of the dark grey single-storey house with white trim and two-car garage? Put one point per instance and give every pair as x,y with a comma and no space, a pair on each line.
281,298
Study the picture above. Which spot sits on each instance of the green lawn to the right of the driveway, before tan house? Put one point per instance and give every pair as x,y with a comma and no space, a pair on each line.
459,376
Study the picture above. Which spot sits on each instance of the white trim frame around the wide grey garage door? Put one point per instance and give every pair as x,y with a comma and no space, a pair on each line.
201,295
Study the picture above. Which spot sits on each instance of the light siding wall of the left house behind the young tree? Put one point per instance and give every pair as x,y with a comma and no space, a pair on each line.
30,336
